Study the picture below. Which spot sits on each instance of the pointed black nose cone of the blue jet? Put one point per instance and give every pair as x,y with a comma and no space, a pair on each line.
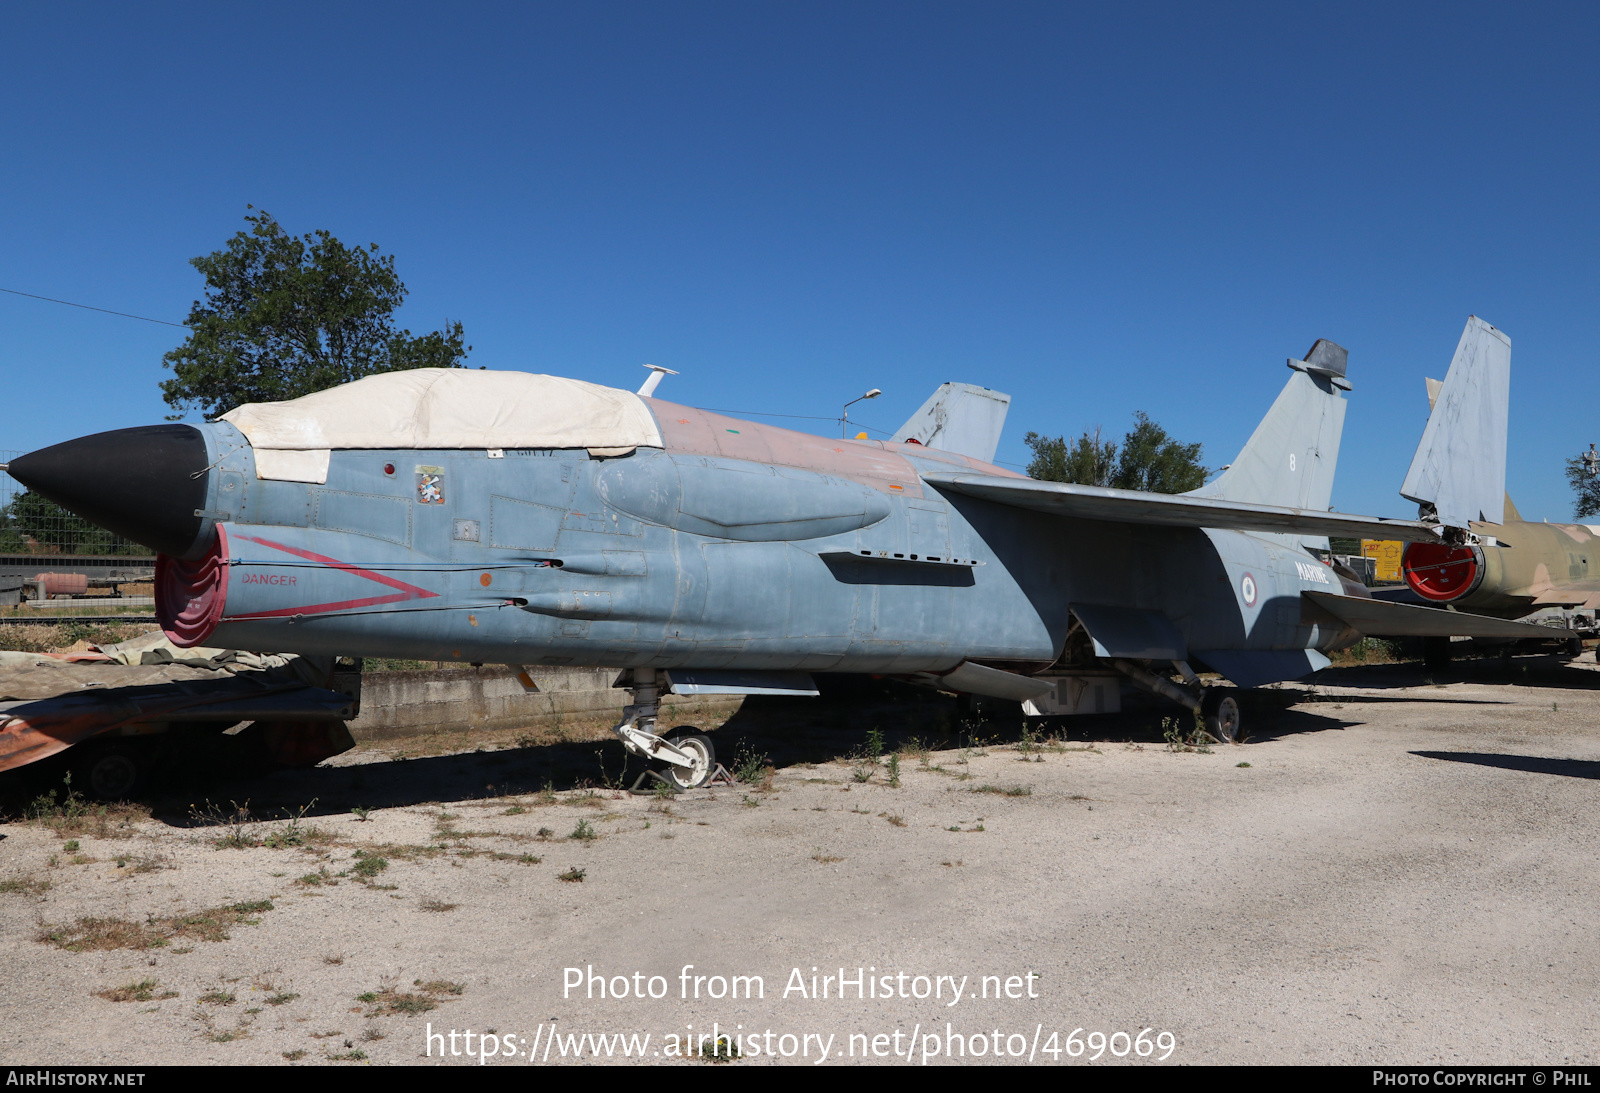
142,484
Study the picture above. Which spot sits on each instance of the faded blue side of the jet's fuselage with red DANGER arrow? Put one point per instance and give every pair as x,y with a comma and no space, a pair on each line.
665,559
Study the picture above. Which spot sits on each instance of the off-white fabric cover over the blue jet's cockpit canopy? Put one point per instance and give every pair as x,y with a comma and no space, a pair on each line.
444,409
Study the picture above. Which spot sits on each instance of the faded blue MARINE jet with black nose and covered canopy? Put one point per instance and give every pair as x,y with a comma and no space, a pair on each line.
535,521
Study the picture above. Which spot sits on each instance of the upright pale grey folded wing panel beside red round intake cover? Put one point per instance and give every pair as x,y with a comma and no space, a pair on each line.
1460,468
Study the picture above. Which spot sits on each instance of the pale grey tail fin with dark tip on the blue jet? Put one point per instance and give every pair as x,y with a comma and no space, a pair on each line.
1292,455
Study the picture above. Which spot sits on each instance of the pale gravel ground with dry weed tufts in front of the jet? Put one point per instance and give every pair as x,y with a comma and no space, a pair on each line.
1390,871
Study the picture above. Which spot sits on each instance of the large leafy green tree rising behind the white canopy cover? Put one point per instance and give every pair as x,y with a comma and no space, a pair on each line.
287,316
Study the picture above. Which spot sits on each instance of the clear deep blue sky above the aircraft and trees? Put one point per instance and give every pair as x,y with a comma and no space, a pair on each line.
1098,209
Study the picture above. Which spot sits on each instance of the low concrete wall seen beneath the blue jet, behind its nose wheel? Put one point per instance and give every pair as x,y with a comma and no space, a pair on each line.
452,700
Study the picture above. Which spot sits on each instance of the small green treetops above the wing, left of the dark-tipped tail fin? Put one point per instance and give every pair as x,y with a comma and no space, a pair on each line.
1146,460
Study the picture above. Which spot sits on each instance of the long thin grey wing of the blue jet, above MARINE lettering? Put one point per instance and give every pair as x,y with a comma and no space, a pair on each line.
1174,510
